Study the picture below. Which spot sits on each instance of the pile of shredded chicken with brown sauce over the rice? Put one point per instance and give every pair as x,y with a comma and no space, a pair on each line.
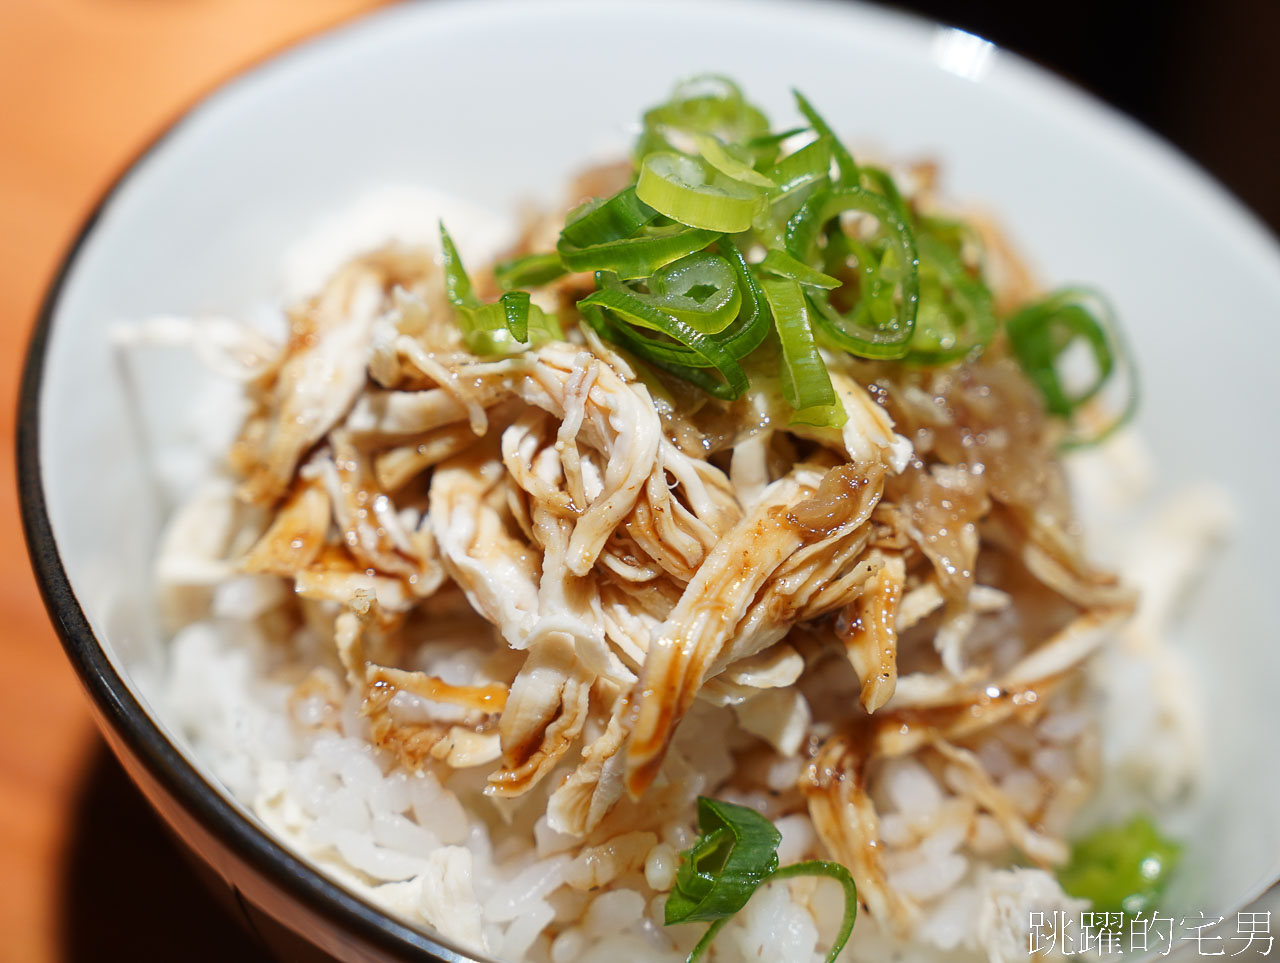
908,586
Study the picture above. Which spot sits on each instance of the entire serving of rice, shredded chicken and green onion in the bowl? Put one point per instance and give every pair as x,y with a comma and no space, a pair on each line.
703,578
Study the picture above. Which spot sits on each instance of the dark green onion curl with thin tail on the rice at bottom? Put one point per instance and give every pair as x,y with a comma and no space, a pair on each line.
737,854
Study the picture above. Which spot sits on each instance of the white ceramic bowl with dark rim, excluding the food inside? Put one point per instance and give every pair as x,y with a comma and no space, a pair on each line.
501,102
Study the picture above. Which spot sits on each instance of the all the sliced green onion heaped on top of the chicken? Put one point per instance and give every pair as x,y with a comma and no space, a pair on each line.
734,239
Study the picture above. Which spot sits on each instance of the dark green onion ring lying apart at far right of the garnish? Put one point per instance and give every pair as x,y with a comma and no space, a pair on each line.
1040,336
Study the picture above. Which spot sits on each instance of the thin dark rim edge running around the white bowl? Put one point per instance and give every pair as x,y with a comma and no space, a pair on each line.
116,708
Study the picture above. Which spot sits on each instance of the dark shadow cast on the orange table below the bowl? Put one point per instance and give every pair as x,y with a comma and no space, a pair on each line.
127,889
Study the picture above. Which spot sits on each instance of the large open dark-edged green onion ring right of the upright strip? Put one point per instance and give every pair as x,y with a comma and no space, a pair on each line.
883,322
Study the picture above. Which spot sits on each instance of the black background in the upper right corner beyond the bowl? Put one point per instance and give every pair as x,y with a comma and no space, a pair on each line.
1206,76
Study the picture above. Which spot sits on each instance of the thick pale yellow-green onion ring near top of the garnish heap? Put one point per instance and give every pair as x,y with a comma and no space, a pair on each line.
685,191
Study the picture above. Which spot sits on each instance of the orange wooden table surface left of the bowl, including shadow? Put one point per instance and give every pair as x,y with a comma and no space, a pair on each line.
85,871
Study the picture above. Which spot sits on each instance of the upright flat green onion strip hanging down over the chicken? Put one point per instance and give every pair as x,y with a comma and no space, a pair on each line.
806,384
